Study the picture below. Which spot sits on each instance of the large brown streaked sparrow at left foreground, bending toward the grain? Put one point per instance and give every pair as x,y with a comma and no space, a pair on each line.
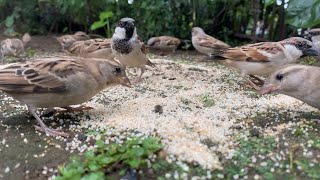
59,82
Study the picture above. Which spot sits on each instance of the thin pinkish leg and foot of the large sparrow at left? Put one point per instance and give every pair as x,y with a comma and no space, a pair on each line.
43,127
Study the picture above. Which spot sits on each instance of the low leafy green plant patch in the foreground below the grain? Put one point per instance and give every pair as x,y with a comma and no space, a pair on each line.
96,164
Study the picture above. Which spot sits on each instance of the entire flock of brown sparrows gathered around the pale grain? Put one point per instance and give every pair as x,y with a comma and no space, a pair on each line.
100,63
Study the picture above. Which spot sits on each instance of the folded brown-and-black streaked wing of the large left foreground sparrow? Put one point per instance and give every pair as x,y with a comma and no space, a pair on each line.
42,76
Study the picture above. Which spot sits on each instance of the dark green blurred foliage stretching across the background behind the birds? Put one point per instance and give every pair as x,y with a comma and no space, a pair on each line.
229,20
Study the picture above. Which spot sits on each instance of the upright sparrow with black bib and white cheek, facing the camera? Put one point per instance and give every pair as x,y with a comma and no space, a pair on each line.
127,47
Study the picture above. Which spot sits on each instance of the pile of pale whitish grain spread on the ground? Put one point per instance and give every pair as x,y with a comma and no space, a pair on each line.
193,108
